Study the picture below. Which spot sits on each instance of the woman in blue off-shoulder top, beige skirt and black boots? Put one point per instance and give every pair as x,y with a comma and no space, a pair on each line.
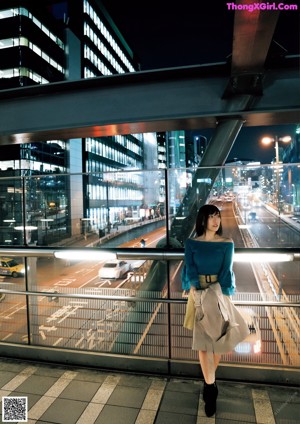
217,325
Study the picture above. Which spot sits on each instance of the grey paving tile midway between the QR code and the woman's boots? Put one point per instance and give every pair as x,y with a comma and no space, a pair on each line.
132,397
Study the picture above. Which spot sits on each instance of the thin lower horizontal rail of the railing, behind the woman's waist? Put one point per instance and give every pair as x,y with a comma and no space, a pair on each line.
141,299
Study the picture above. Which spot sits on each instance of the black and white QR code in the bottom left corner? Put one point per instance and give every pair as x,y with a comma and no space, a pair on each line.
14,409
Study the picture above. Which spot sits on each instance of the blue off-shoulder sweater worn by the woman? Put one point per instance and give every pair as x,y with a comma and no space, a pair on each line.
214,258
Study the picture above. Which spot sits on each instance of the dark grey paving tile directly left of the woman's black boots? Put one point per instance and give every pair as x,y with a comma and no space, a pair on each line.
180,402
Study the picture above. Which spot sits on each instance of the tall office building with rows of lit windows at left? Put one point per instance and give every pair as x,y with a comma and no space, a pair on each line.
56,41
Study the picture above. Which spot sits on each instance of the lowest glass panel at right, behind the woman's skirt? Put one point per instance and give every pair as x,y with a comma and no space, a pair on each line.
273,339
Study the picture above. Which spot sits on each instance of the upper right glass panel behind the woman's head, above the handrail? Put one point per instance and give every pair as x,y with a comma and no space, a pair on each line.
260,206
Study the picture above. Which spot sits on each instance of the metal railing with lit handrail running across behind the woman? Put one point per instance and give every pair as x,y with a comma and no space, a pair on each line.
129,322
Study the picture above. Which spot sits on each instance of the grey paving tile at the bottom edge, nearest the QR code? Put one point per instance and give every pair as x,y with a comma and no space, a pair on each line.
63,411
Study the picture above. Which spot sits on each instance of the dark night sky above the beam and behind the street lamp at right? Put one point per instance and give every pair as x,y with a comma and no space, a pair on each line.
165,33
